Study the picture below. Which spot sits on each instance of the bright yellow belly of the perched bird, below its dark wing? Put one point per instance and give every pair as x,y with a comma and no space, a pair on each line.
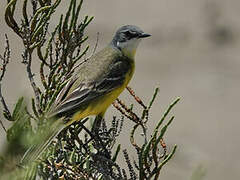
99,106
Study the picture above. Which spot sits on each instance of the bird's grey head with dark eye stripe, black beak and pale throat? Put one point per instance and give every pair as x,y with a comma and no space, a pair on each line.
127,39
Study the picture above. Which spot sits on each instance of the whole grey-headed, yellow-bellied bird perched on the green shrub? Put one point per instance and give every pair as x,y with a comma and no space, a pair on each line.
94,87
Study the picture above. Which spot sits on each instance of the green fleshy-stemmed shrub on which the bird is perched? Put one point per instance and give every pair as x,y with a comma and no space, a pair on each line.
76,153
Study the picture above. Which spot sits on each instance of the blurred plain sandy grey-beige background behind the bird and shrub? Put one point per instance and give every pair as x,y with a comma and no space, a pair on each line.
193,53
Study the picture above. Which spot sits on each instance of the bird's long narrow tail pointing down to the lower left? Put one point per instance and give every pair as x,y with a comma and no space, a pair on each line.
42,141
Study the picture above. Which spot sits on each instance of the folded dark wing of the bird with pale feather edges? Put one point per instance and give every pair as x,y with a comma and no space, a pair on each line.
88,91
